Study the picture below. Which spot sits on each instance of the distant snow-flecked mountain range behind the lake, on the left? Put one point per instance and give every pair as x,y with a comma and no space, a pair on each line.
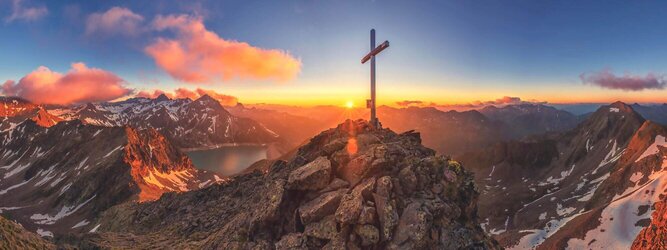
187,123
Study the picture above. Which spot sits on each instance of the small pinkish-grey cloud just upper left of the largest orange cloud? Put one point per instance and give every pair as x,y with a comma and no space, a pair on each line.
115,21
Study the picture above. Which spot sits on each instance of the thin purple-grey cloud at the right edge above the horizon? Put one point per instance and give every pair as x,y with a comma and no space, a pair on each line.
606,79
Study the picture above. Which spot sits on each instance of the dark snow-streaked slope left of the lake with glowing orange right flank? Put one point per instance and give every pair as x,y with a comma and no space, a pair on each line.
59,179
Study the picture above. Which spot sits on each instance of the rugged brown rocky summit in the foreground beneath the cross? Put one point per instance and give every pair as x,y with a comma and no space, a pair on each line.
350,187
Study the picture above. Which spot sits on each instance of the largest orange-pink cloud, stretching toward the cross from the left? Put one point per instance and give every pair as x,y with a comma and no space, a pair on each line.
197,55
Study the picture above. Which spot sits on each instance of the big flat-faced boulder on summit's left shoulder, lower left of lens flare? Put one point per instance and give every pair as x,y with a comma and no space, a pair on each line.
312,176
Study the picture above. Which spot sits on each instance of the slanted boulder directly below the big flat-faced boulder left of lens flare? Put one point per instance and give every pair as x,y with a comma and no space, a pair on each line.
321,206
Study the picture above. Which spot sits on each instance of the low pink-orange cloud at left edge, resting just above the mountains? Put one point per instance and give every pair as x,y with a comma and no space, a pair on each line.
79,85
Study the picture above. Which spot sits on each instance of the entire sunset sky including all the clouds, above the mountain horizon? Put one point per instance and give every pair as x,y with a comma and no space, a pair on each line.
308,52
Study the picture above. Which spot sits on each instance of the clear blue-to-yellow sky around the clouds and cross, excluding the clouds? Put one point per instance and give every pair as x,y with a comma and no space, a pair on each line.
441,51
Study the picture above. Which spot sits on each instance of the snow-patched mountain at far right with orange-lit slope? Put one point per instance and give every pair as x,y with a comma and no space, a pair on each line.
592,187
